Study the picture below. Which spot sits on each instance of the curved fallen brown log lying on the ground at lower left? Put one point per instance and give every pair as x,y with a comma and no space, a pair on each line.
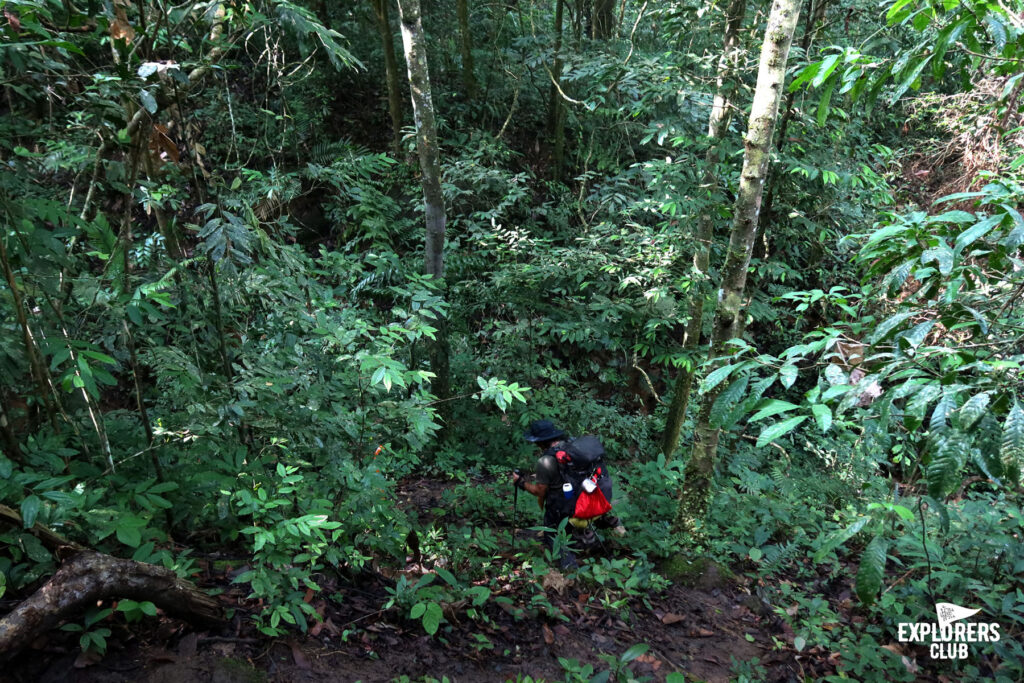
90,577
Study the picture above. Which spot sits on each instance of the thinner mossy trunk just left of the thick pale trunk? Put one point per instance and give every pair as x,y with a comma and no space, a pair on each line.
717,125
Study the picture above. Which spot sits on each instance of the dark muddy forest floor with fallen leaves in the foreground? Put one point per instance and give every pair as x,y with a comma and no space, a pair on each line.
699,629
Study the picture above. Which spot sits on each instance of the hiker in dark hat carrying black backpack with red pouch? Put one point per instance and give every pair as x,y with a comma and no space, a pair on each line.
554,472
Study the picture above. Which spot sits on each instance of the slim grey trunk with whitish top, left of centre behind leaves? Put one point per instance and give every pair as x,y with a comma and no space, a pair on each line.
426,144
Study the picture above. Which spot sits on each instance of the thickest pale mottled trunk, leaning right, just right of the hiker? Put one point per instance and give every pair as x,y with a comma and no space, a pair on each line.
728,322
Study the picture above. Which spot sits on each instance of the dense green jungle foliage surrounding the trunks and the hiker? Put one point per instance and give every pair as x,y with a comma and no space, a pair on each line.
228,331
